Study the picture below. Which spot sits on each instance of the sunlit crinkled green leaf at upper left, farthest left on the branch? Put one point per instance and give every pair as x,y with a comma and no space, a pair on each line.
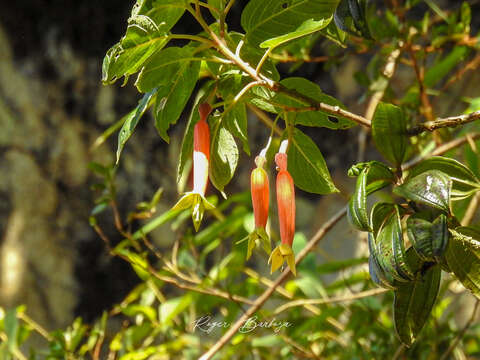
147,31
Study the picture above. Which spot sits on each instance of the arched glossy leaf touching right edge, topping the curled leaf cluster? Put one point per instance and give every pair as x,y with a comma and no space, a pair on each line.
464,180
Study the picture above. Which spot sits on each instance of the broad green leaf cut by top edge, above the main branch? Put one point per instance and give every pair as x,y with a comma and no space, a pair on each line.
267,19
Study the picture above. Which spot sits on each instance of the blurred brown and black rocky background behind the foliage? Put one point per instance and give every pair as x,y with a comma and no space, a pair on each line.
53,107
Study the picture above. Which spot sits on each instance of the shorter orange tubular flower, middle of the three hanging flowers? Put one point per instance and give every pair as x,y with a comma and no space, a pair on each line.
259,186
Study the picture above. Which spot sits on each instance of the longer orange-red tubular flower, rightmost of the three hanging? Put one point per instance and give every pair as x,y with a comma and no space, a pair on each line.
286,216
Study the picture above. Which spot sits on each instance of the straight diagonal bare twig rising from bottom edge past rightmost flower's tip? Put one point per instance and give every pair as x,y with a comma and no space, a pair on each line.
264,297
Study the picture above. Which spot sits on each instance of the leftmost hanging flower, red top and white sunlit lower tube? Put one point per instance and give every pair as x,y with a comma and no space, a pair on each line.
195,200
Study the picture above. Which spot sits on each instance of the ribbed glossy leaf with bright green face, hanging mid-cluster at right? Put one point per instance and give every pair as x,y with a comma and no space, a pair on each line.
391,250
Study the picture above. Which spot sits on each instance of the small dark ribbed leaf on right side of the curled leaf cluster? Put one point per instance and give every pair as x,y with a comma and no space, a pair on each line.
419,232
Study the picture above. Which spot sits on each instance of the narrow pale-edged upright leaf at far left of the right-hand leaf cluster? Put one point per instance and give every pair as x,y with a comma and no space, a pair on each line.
357,206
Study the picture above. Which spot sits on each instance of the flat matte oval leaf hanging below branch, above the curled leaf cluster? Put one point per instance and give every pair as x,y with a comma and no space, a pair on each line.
389,131
